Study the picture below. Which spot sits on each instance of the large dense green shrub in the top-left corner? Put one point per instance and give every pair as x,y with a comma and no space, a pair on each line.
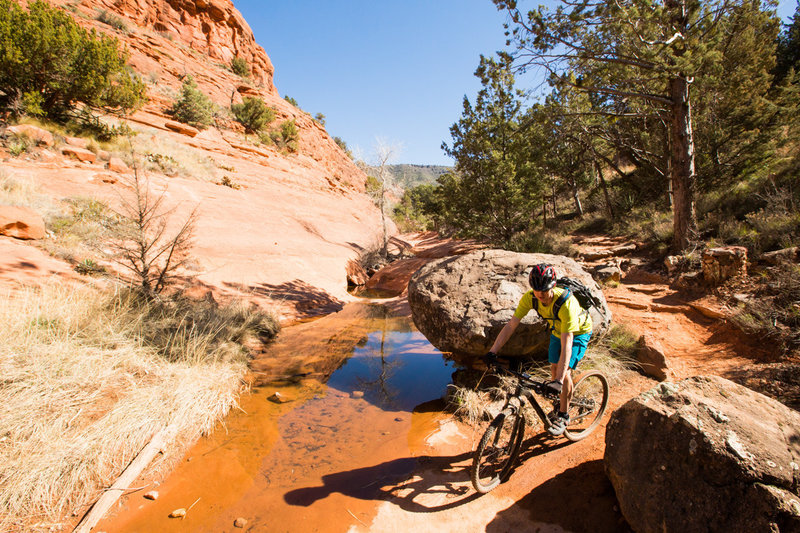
44,52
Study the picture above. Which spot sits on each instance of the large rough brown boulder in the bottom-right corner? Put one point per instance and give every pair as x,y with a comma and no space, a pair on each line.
704,455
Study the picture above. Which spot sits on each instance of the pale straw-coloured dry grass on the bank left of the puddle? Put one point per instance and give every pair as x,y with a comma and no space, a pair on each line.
84,385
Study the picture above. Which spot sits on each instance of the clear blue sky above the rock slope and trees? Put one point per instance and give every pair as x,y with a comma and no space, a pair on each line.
396,70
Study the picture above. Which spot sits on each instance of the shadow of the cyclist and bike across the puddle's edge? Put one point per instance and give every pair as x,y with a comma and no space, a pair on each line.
421,484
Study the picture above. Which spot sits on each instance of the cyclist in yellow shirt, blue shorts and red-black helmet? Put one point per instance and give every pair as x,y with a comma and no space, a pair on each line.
570,333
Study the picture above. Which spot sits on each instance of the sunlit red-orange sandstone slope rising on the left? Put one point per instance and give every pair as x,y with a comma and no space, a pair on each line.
285,236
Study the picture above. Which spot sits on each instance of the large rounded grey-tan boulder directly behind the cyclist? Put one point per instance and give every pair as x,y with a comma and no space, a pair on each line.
461,303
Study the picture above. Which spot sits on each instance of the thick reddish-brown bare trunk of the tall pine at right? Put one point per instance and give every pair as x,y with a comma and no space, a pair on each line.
682,165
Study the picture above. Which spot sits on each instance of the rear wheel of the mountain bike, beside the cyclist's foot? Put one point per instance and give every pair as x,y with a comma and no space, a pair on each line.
589,402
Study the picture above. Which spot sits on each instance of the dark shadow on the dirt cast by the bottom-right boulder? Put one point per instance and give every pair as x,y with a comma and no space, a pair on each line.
580,499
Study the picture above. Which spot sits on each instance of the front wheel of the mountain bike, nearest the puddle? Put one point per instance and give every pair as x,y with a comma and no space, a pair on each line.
497,451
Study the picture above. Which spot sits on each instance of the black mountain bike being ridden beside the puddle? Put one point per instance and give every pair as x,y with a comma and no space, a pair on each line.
500,445
